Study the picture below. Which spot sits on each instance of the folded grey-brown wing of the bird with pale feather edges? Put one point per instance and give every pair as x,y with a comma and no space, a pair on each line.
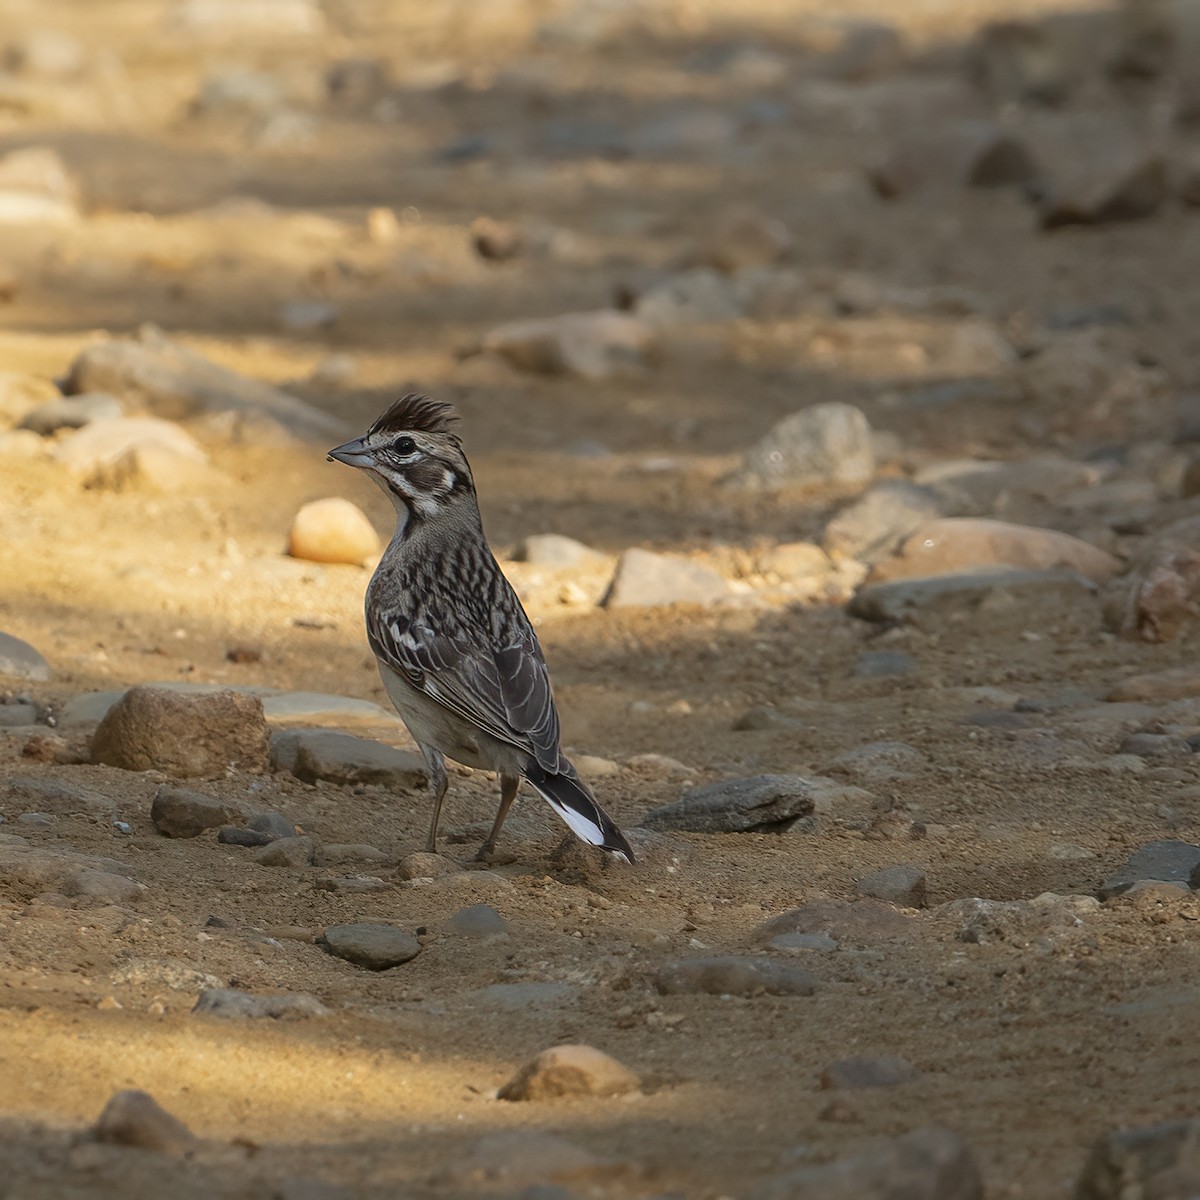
505,692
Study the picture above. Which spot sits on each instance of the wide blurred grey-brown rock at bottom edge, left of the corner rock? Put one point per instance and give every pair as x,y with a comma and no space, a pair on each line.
932,1163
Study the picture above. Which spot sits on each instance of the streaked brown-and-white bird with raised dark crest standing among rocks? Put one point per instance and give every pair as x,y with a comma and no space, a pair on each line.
458,655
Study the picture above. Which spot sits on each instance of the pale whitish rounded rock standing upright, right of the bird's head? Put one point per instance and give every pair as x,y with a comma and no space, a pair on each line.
825,447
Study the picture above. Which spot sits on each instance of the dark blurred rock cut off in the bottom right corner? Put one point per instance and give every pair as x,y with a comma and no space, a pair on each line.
1160,1161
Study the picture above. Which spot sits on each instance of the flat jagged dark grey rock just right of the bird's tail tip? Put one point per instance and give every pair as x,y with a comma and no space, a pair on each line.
758,805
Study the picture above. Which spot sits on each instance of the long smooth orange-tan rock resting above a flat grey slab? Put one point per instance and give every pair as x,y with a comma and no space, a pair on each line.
961,544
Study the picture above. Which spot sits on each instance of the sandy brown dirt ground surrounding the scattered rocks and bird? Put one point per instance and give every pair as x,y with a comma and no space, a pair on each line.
1030,1046
